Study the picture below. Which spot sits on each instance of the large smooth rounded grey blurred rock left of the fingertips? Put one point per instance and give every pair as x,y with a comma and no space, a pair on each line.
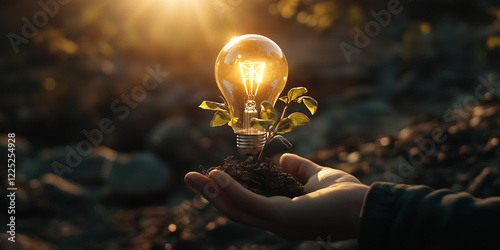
138,175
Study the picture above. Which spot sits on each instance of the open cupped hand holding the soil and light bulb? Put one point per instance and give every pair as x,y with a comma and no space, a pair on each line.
330,208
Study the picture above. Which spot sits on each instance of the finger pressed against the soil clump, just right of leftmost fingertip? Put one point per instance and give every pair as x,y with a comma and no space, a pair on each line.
272,209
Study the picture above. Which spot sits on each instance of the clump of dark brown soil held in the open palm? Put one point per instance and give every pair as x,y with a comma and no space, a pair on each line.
261,177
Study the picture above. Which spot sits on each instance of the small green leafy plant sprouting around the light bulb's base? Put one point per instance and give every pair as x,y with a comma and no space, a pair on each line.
274,124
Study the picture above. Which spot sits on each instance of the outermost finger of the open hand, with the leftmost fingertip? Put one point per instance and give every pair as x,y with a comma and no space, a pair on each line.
217,197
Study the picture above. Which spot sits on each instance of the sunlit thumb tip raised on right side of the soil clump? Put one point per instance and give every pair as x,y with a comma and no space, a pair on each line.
298,166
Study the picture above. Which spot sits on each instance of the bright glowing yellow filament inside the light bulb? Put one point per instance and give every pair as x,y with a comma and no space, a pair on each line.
251,73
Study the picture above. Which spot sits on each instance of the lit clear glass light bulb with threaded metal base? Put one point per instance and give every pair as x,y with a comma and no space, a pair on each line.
250,69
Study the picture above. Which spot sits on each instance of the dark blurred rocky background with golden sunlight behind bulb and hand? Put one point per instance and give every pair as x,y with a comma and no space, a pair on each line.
67,66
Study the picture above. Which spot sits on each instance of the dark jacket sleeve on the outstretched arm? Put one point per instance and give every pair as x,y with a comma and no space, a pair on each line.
397,216
